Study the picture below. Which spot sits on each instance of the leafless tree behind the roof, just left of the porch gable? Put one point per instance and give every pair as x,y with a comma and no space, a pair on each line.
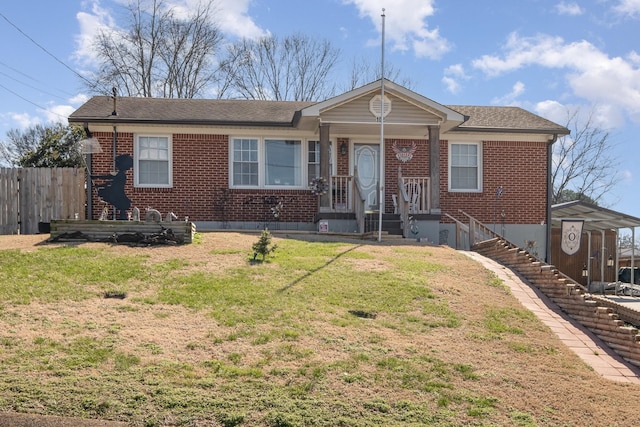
296,68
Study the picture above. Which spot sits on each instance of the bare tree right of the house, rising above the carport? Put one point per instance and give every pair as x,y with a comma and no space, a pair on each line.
584,166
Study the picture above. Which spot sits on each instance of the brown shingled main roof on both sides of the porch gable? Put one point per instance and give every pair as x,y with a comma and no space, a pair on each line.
277,113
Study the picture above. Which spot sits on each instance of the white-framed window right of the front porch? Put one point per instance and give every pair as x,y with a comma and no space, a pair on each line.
465,167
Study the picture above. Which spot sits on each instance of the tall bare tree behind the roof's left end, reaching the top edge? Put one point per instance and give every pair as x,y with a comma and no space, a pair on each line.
159,53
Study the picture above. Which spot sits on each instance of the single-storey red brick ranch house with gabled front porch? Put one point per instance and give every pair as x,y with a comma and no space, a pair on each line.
244,164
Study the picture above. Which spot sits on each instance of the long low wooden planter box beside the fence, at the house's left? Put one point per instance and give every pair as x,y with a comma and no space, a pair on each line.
64,230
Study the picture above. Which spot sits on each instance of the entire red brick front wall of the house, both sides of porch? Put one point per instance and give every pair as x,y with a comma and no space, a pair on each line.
201,184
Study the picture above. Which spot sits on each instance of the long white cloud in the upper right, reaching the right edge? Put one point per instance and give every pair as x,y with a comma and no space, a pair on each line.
611,83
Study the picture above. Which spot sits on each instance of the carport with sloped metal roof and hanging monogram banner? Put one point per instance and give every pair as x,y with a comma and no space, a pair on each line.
594,219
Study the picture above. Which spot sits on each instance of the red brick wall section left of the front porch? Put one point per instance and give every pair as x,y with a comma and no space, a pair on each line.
201,184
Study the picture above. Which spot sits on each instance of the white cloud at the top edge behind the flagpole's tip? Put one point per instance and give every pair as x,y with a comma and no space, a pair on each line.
405,25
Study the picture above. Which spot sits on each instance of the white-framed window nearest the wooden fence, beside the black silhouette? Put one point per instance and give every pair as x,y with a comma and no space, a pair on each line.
152,156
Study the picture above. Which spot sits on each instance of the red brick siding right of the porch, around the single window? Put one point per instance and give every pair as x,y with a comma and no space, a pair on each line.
519,167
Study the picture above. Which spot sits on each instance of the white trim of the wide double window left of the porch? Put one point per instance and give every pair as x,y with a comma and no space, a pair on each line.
304,162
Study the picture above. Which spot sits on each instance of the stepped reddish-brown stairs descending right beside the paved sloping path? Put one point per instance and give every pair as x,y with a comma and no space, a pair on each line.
605,318
